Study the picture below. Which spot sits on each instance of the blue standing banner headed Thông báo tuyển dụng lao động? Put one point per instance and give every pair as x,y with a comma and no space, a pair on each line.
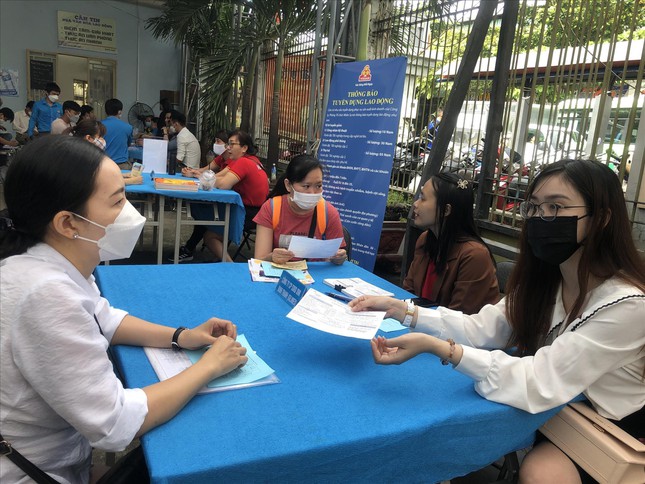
357,146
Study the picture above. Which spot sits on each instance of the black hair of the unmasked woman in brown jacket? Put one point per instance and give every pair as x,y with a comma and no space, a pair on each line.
459,226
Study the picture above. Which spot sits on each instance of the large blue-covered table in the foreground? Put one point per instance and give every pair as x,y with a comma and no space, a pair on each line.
336,416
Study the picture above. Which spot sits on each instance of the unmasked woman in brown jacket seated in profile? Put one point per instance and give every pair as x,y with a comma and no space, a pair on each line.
452,266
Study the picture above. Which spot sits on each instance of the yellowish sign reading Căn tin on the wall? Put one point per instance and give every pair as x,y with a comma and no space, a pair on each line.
86,32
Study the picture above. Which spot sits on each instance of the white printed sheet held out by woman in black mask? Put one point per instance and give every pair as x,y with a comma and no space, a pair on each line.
321,312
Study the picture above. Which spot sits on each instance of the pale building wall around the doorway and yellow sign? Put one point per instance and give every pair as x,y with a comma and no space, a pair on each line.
32,25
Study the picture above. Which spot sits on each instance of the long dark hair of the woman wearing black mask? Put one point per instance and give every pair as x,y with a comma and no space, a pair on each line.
608,251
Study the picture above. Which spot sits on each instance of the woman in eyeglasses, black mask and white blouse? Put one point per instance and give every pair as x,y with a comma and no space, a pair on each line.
572,320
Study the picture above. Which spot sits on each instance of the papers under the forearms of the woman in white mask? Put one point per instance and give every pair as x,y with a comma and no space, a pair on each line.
168,363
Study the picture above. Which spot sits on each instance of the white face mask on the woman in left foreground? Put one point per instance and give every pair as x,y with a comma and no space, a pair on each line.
120,236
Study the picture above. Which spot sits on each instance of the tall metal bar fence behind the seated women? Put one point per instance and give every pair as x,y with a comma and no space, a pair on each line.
575,90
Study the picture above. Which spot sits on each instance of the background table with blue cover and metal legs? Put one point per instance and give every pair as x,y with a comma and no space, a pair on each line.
232,219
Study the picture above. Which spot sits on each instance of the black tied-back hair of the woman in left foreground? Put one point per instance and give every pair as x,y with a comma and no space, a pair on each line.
50,174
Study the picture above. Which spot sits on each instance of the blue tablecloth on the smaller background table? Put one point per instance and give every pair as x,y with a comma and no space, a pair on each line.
236,223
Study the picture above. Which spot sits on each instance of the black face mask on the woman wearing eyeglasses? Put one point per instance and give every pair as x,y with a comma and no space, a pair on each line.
553,242
